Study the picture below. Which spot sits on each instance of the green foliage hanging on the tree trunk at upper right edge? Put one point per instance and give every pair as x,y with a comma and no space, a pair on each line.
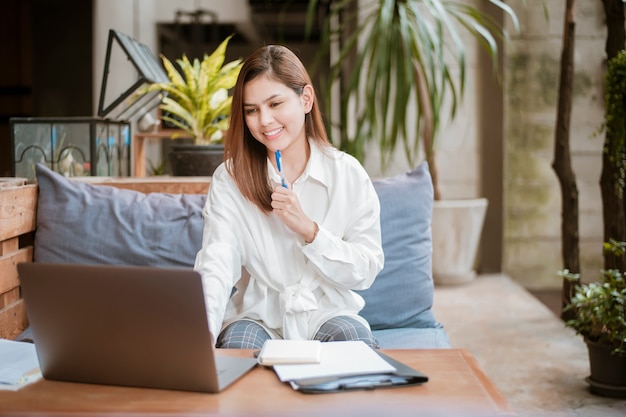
615,118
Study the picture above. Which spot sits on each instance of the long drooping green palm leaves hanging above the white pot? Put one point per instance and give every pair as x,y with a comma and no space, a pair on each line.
394,59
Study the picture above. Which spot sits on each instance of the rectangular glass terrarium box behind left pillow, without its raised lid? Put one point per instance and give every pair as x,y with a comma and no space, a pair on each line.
76,146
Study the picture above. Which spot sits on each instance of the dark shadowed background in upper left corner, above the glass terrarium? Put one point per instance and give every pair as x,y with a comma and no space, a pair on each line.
45,63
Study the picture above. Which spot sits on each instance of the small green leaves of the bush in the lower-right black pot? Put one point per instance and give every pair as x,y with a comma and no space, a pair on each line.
600,307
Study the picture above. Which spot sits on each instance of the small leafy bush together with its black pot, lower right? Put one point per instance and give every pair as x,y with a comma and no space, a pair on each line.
599,315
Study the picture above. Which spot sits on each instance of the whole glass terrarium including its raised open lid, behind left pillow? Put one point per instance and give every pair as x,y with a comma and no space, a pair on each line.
93,146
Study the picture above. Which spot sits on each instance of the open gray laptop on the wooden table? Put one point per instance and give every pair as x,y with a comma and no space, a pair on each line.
124,325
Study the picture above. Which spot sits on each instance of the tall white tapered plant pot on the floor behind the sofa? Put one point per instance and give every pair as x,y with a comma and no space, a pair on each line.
456,229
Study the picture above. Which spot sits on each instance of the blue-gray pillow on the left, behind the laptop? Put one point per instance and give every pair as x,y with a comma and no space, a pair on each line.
82,223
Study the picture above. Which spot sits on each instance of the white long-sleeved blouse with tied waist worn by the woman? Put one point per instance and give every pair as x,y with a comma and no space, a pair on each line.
289,287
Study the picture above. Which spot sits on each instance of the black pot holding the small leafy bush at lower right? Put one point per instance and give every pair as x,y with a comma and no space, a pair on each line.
608,371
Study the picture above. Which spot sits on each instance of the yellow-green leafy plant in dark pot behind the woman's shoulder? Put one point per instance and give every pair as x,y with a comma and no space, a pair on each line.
196,101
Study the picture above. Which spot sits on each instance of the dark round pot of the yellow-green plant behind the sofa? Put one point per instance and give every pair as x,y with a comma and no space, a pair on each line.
189,160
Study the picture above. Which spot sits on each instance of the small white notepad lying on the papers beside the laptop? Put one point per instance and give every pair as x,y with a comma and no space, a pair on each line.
278,351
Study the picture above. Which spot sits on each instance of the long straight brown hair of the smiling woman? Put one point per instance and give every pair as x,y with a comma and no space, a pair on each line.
246,158
